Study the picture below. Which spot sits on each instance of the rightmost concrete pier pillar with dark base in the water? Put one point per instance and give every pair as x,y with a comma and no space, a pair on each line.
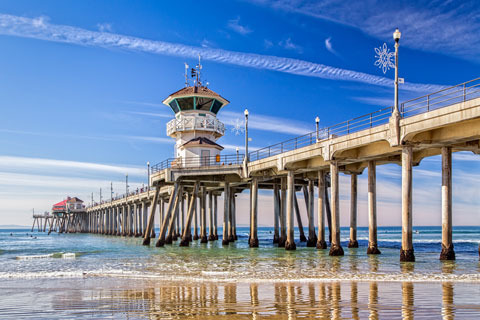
447,244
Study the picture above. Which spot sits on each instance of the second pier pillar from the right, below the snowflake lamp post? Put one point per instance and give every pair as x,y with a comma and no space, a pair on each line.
406,253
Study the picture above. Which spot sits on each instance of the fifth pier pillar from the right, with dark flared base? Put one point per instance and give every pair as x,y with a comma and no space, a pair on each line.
336,248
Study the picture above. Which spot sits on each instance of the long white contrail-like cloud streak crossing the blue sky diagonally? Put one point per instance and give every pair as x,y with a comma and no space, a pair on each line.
25,27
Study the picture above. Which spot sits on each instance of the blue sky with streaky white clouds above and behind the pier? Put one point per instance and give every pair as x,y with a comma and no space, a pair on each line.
82,85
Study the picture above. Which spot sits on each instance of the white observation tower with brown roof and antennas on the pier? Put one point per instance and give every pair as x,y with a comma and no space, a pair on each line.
195,127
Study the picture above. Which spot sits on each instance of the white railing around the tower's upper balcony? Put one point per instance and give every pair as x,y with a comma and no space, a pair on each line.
195,122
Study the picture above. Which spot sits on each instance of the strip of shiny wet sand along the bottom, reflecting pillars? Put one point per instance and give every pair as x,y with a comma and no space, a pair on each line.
139,299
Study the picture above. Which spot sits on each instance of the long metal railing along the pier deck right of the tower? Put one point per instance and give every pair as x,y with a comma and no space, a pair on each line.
443,98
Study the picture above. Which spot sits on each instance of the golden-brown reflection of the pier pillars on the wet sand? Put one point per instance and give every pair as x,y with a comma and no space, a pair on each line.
324,300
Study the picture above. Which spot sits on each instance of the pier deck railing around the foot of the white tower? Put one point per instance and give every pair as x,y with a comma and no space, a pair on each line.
198,162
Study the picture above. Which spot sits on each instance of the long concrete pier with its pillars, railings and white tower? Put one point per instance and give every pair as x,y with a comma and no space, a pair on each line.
183,192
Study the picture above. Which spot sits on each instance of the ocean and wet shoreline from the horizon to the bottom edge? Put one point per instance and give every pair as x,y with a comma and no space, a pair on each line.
86,276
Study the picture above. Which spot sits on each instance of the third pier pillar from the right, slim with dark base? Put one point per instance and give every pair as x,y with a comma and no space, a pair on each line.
372,209
